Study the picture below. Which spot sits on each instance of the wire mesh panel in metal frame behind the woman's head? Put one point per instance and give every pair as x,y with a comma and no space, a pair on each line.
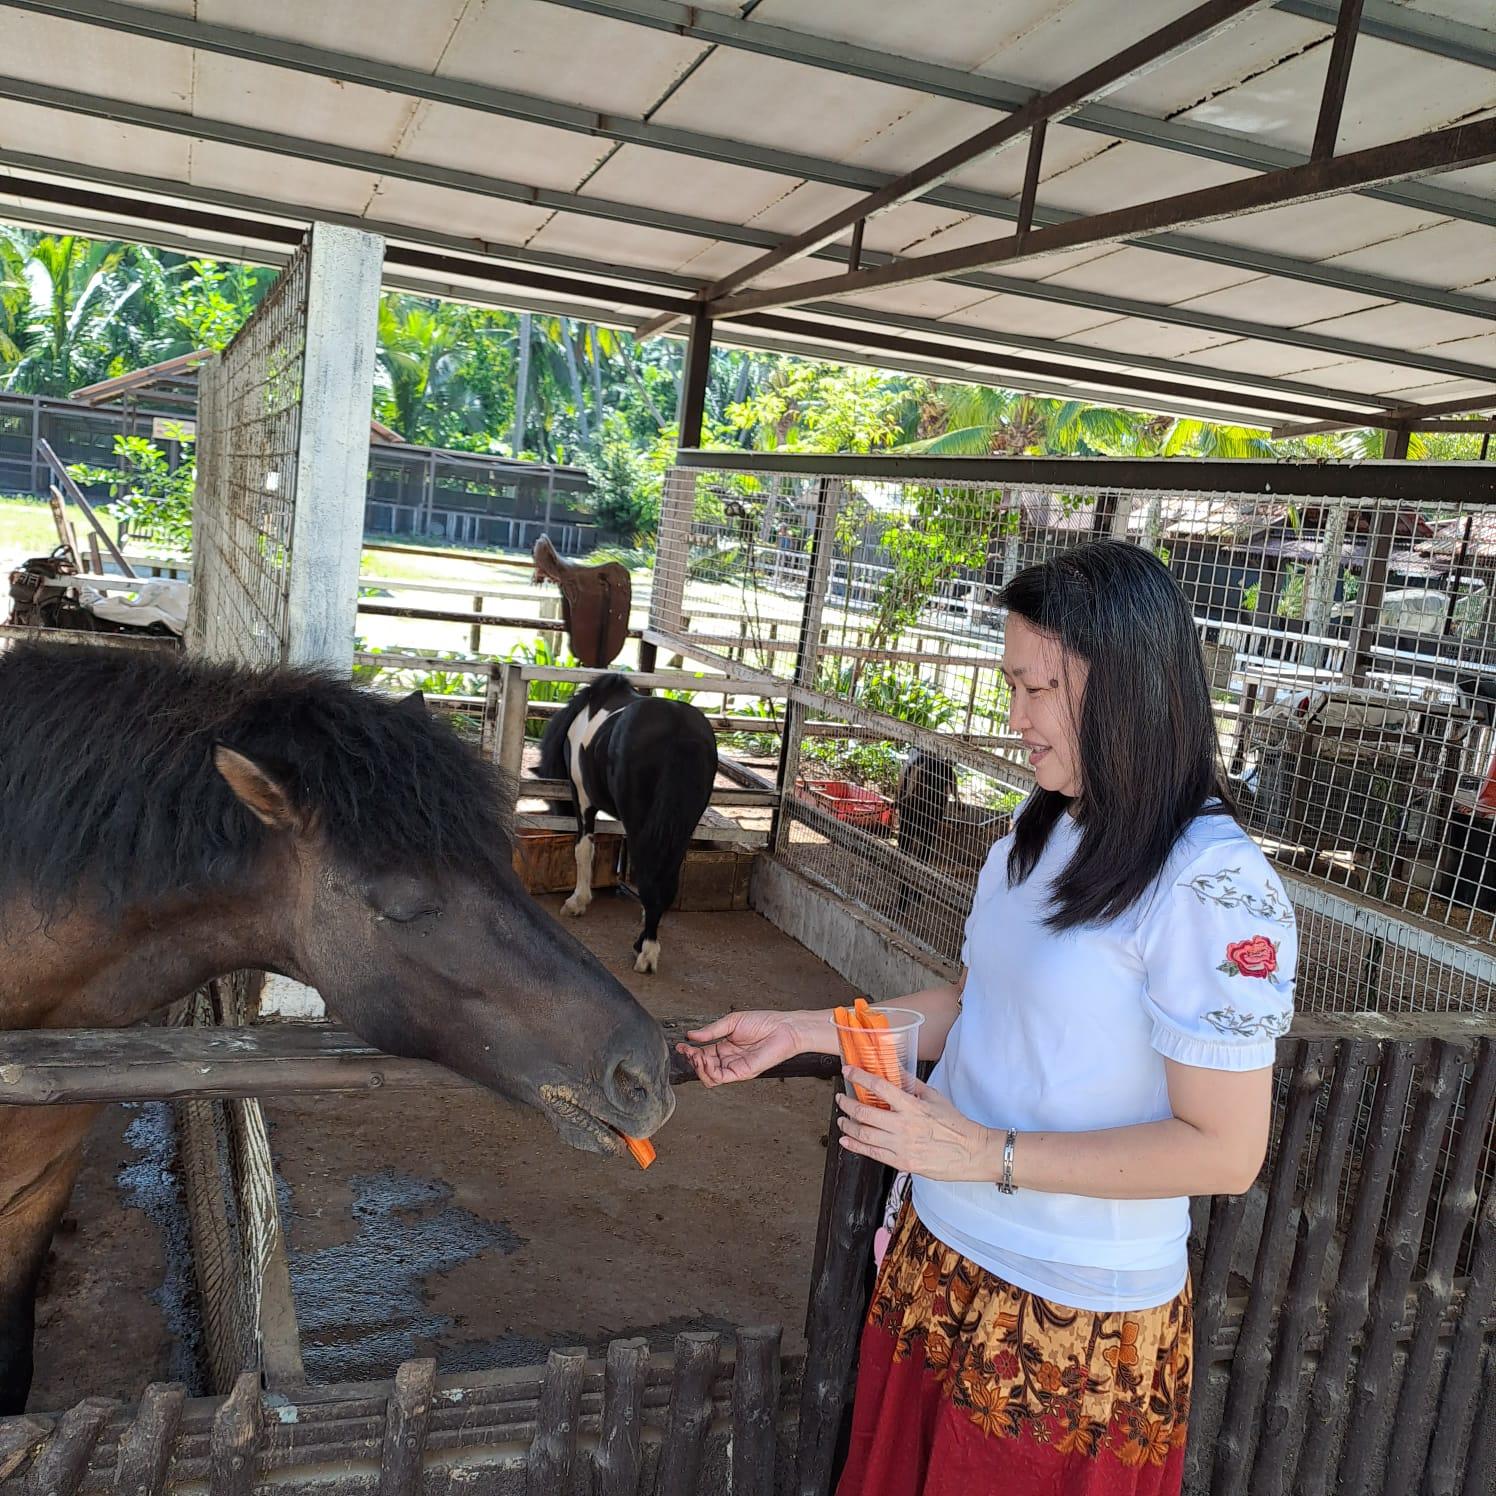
1350,647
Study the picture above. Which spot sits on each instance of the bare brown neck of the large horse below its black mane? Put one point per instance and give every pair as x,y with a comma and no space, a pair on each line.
86,970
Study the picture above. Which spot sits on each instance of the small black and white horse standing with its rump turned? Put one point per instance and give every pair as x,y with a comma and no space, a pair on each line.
650,764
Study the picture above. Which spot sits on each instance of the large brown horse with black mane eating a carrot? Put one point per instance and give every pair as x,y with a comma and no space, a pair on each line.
164,824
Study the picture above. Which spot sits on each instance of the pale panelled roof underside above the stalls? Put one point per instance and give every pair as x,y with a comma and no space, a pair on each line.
635,152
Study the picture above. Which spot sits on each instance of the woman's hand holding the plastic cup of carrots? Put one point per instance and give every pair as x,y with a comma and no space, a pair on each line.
921,1133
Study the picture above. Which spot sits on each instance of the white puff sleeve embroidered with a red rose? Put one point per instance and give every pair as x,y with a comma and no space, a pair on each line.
1220,949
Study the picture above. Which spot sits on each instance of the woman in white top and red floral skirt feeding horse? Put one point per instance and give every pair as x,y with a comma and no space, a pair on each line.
1105,1055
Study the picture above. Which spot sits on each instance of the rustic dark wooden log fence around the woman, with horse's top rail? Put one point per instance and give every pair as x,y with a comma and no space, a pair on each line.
1346,1329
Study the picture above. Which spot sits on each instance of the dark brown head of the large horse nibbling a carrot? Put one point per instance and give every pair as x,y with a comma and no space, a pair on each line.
420,937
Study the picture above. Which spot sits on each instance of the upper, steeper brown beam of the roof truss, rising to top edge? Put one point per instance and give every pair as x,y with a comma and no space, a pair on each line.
1133,62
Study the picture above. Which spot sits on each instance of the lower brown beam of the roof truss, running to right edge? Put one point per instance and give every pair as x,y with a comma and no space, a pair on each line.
1441,150
